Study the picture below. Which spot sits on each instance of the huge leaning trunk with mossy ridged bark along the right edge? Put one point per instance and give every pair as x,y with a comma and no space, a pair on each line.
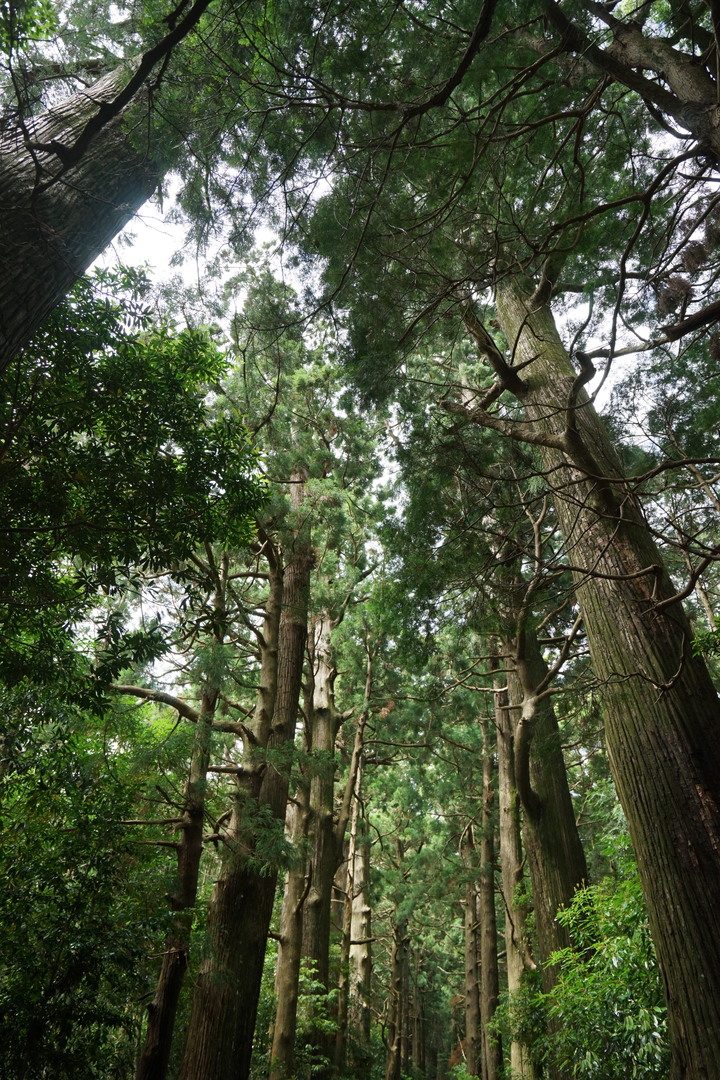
661,709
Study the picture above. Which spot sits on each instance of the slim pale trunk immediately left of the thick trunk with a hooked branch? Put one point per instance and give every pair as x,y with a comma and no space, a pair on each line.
518,950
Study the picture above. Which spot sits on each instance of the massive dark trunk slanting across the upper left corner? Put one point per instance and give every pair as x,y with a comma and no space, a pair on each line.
57,221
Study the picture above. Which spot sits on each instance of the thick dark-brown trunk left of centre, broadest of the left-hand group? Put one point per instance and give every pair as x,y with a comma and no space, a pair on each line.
220,1042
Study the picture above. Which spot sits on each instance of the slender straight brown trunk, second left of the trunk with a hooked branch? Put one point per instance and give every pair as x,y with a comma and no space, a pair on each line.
486,908
